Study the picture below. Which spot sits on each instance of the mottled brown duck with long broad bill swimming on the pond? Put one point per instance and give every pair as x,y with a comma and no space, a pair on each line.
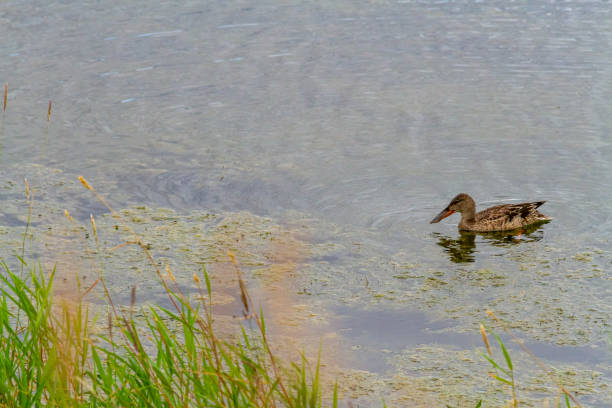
505,217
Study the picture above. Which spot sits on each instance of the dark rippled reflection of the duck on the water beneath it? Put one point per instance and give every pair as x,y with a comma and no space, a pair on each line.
463,248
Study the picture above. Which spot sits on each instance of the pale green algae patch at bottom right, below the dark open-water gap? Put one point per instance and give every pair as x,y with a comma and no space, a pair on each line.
447,372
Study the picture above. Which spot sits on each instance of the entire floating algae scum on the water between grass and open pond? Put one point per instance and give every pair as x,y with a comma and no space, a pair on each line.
300,269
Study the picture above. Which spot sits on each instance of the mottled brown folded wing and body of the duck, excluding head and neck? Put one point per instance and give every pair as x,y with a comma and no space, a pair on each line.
510,216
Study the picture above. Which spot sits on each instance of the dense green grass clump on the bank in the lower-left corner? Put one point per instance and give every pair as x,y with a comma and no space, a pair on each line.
48,356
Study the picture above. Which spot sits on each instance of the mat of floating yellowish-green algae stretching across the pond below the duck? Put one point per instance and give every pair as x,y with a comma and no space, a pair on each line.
542,299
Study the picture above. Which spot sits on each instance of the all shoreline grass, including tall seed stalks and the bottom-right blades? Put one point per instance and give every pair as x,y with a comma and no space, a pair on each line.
52,352
